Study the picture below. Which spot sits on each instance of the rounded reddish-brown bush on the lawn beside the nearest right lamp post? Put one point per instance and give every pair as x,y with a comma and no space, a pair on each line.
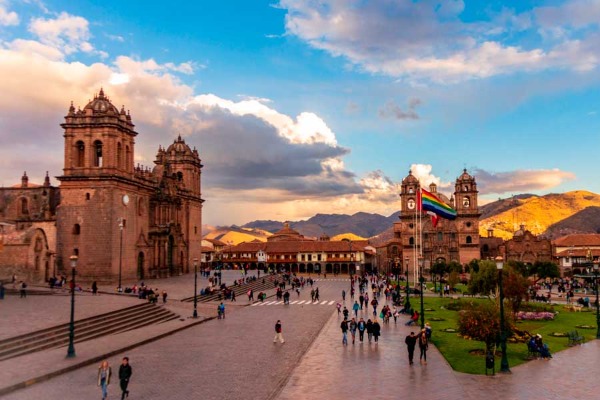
481,321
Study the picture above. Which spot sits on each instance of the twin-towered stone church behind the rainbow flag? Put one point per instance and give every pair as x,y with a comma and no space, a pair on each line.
450,240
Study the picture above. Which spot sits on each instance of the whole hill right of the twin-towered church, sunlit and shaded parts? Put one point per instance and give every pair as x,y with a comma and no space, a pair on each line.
541,213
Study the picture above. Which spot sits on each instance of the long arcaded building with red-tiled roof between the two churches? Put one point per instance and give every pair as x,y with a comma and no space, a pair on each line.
288,250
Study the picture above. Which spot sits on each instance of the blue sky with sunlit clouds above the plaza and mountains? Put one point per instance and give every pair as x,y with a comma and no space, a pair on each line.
315,106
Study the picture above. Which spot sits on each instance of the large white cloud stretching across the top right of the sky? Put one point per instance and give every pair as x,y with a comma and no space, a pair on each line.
427,41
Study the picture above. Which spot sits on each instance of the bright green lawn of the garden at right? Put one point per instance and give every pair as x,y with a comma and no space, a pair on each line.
456,349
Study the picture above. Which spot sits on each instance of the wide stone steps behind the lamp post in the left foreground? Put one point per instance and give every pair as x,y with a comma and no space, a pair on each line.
118,321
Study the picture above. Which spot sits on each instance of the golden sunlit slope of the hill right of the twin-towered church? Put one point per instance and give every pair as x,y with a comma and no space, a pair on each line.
537,213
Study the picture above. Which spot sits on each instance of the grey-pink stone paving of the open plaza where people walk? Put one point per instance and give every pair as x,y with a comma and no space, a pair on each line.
236,358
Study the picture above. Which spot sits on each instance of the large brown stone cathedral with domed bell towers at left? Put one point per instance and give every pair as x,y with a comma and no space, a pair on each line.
122,221
